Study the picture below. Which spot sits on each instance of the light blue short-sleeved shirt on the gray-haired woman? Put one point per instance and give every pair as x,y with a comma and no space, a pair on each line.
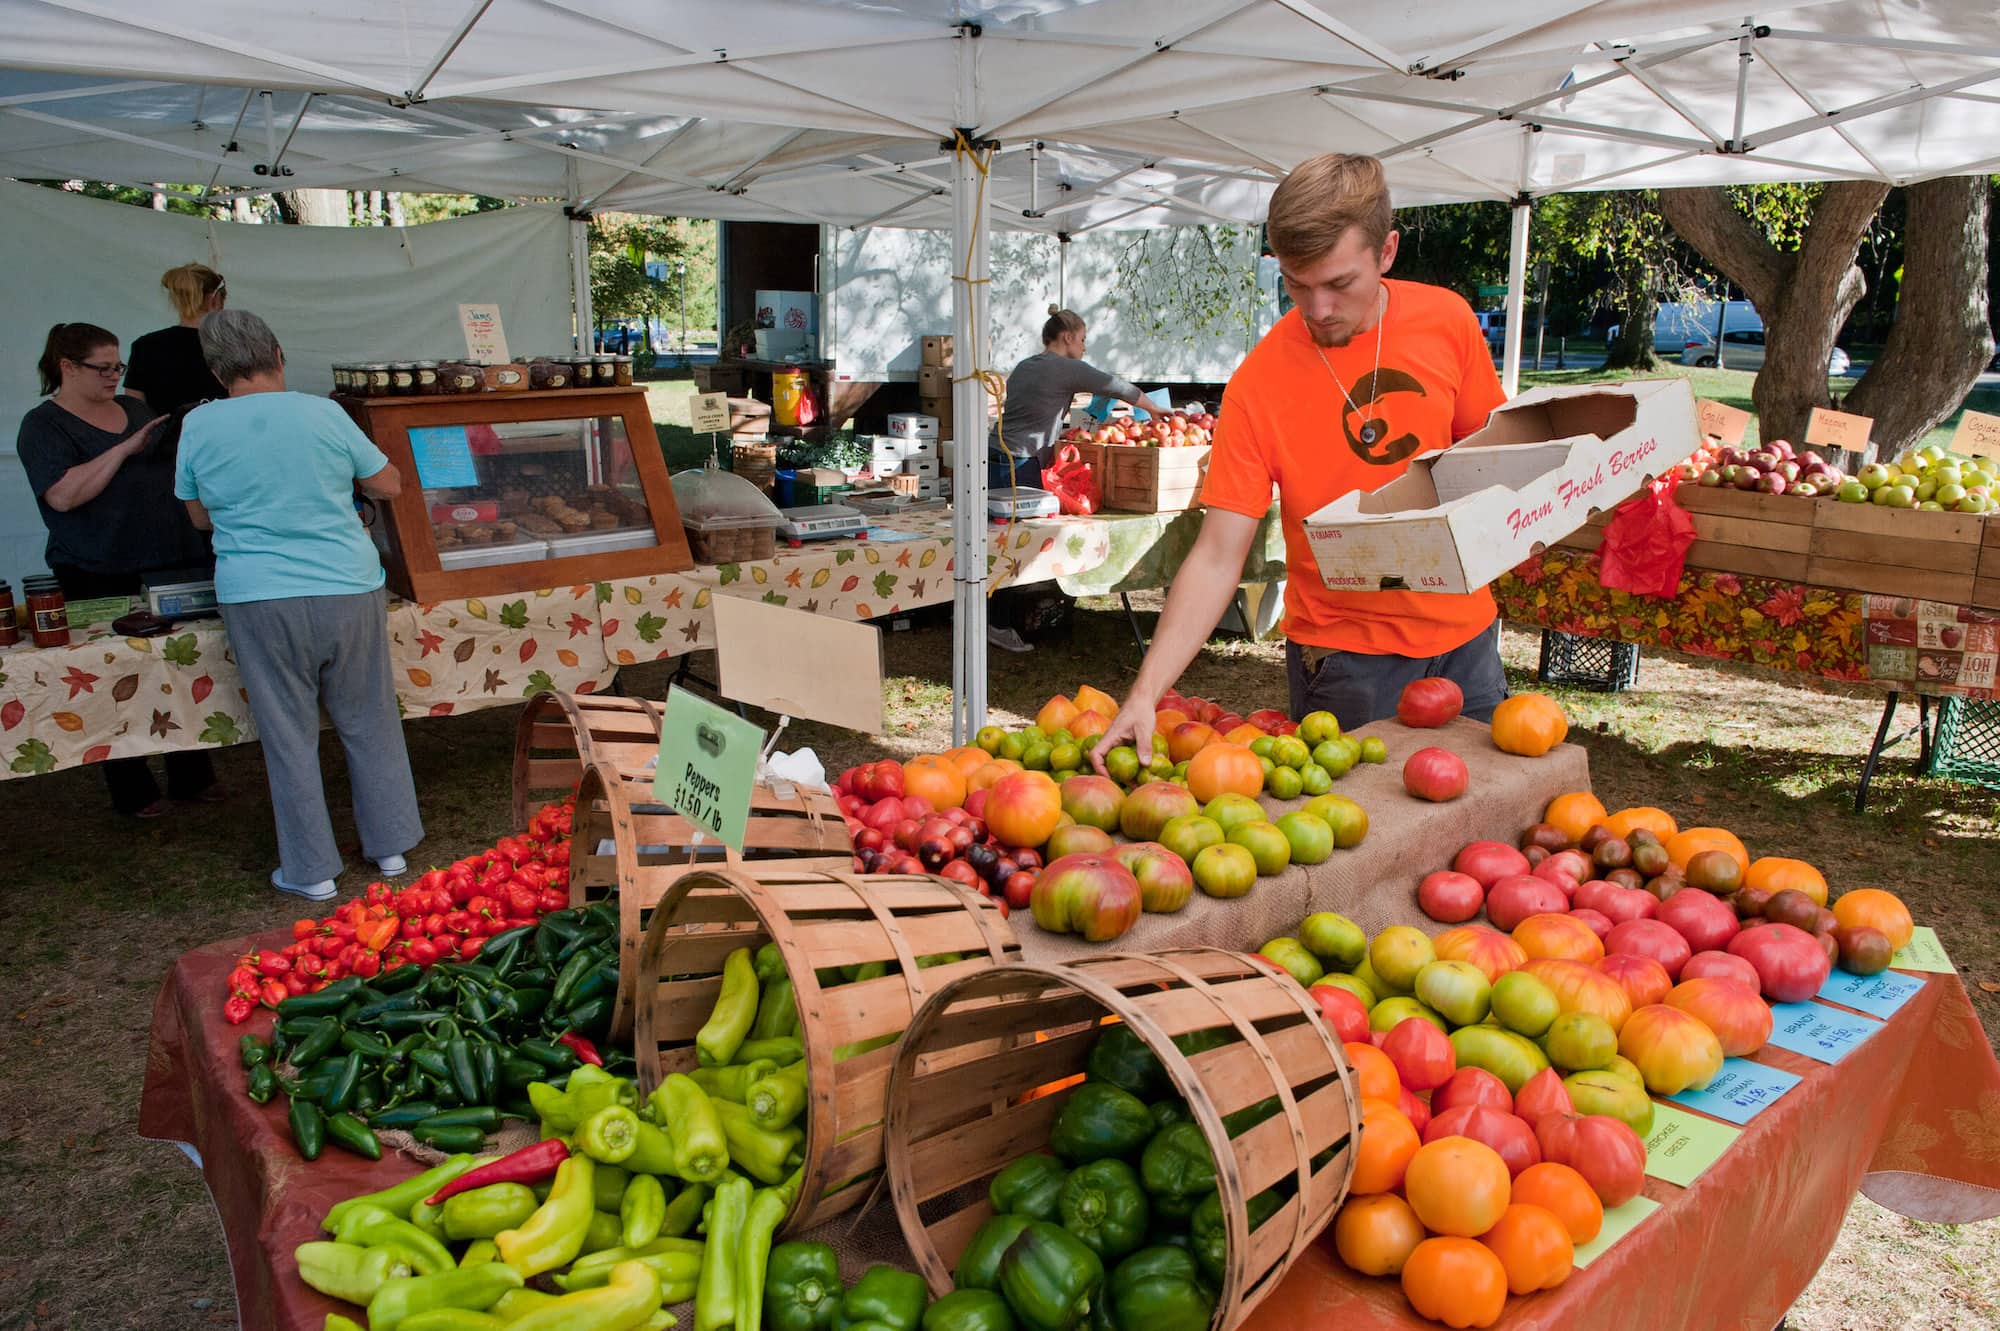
277,477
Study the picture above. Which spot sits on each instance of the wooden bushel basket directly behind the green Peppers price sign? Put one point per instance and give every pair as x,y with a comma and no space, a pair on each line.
651,848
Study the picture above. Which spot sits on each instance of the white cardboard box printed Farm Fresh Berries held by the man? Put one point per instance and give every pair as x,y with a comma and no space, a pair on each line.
1539,471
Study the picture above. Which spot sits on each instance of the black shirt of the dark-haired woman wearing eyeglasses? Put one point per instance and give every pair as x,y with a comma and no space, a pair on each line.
135,525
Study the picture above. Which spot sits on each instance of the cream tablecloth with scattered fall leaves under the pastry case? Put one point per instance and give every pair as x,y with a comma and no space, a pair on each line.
109,696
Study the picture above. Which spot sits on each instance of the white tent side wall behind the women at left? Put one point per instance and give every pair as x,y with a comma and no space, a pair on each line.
327,293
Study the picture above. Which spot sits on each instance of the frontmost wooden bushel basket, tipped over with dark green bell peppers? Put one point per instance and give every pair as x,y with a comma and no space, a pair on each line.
991,1060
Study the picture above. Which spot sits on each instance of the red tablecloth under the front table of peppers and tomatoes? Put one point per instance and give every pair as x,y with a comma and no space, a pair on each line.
1911,1118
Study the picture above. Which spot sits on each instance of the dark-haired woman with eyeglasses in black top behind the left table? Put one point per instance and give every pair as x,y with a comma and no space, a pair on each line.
107,499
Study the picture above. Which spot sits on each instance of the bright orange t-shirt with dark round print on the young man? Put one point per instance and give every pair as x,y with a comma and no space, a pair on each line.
1287,425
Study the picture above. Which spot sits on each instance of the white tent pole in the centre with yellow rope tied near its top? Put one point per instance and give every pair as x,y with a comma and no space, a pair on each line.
969,433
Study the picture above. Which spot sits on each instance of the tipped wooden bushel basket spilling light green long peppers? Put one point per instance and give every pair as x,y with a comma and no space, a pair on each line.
817,920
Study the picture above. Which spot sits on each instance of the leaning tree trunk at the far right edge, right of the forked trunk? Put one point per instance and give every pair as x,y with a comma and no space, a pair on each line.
1941,339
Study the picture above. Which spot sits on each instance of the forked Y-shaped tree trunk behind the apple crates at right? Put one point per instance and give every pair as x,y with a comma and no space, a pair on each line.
1803,297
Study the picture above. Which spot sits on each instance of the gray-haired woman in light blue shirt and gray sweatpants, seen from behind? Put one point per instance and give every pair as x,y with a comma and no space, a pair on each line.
273,475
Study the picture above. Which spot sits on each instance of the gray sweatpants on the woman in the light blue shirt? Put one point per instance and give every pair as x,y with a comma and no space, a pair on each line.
299,655
